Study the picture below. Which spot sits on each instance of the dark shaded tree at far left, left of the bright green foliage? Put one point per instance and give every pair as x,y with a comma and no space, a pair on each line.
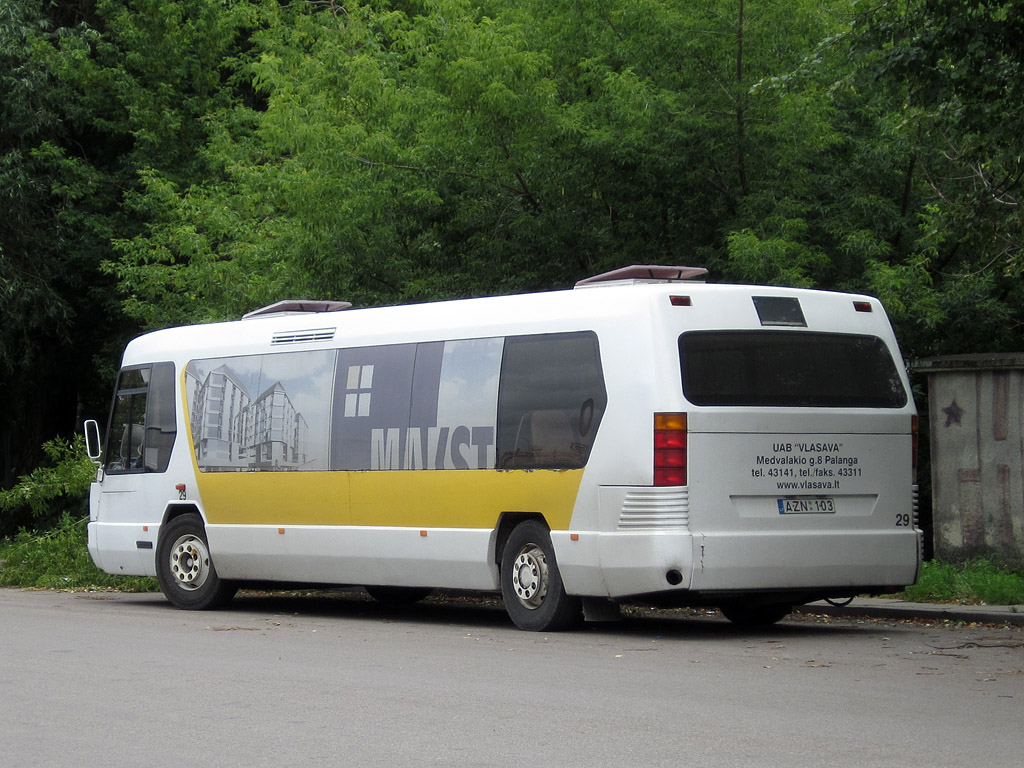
92,94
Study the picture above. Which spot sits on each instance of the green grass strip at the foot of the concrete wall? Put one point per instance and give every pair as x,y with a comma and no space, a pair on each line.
971,582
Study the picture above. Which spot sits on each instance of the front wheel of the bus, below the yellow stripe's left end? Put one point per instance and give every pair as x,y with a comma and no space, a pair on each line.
185,569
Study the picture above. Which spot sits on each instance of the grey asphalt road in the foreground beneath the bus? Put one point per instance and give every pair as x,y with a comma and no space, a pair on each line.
116,680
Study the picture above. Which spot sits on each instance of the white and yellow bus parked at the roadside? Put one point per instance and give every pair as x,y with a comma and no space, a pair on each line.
643,438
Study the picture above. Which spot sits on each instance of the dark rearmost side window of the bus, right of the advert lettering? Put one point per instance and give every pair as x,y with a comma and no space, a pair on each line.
550,403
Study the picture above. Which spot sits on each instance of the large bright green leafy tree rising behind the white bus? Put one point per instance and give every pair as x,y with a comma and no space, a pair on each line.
452,148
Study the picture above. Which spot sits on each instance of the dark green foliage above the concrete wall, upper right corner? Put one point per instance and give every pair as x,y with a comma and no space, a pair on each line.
955,70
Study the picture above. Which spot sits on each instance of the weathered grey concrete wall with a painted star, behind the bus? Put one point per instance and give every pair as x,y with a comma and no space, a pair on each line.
976,414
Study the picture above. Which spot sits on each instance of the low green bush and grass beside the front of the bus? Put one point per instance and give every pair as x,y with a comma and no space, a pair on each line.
59,560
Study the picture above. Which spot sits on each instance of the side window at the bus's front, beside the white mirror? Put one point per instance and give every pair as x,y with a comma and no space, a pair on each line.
143,426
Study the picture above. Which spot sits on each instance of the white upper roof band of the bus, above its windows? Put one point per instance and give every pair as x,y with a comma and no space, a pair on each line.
601,305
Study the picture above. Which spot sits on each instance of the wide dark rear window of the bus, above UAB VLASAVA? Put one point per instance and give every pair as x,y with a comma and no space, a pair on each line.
789,369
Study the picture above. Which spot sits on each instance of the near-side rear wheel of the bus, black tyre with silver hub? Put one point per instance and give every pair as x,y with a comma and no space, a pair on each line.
532,586
